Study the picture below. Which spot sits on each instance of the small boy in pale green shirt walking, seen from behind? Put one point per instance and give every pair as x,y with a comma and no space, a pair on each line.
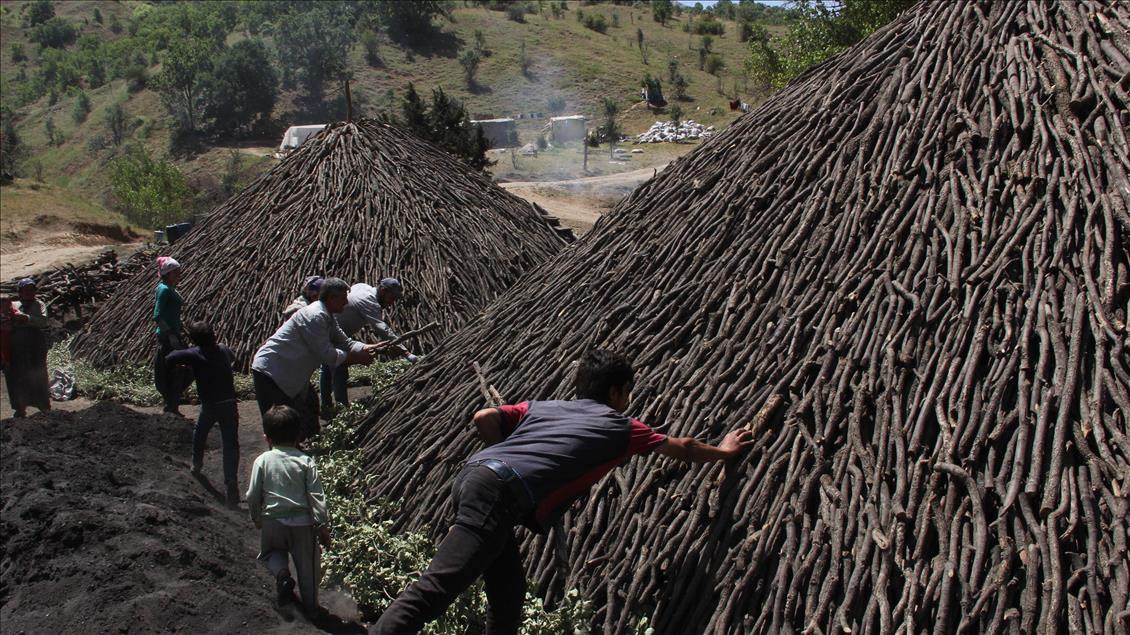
288,504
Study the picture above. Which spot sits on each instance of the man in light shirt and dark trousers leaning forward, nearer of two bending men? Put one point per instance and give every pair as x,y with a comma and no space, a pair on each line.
311,338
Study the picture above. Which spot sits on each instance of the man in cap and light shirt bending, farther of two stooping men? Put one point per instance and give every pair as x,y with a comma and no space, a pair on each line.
366,309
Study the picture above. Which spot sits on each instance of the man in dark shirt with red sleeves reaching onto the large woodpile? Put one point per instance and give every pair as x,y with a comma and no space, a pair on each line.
541,457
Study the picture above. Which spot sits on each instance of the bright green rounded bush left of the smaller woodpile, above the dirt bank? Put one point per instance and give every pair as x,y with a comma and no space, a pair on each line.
150,193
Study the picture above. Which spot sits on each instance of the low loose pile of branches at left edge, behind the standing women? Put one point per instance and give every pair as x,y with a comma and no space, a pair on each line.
73,291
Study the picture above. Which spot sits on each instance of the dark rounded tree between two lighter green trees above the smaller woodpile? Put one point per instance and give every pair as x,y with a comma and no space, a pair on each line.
242,88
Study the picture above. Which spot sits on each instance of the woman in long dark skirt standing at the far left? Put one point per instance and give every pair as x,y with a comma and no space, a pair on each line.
28,364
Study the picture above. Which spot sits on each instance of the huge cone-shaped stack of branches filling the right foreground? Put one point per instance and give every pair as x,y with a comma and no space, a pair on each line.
922,251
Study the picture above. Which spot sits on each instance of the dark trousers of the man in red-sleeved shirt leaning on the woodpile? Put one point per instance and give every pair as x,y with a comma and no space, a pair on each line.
481,543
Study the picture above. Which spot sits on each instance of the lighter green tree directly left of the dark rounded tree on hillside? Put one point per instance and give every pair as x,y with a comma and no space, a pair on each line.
180,83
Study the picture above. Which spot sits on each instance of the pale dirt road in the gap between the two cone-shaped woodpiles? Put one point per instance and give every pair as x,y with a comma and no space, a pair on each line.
579,203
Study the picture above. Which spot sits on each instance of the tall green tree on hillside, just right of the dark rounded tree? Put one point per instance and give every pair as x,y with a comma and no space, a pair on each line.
314,46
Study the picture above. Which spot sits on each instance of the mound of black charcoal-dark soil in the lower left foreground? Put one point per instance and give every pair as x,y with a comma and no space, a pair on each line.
103,529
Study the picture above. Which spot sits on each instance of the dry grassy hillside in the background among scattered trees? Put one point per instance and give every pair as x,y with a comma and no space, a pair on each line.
568,60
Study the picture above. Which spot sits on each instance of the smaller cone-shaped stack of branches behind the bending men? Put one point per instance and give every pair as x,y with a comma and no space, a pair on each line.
360,202
